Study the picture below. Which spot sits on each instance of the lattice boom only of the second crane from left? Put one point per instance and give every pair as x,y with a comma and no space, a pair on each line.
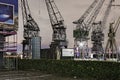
54,14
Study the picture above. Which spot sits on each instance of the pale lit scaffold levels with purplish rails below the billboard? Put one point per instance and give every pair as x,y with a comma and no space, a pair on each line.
8,41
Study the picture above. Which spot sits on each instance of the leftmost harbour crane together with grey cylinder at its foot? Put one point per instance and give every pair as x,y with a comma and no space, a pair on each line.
32,40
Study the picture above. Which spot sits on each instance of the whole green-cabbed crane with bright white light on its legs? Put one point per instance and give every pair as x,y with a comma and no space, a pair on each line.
84,25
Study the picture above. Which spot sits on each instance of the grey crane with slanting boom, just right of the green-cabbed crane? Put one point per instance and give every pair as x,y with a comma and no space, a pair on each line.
97,32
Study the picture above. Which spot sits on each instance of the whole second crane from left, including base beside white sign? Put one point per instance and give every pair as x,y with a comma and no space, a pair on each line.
59,29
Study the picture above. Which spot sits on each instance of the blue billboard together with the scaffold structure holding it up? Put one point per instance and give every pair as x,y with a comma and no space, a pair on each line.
8,28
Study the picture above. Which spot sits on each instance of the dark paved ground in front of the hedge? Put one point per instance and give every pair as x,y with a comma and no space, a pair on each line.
29,75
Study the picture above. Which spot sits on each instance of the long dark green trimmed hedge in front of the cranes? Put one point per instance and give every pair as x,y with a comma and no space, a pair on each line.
97,70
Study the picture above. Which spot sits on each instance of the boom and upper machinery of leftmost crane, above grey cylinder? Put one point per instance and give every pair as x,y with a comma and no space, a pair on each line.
30,26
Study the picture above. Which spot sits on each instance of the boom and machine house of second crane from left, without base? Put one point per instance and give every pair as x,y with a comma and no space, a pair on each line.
57,22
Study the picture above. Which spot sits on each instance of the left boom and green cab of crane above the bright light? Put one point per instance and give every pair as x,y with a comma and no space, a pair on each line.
81,28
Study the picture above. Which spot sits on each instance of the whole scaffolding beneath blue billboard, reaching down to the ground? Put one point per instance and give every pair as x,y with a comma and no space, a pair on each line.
8,43
